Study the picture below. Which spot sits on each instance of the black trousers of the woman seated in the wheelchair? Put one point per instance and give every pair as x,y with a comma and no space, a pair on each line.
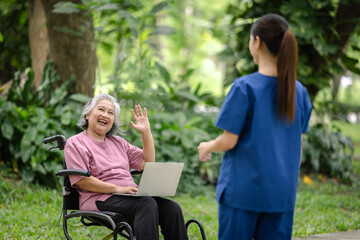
146,214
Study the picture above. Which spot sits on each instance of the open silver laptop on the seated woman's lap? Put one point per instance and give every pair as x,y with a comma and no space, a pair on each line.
158,179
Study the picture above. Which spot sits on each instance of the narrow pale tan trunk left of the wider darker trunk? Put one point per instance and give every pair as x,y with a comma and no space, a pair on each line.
38,37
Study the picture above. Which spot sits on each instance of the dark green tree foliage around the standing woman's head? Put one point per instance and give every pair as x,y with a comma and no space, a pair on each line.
316,26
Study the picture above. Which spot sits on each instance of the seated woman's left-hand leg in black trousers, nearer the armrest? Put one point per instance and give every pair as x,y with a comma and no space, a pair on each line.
142,212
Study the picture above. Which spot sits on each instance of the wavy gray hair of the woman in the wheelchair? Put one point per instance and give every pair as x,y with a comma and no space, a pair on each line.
89,106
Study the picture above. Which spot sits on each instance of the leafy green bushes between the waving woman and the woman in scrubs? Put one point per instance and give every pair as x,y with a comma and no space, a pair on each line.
178,127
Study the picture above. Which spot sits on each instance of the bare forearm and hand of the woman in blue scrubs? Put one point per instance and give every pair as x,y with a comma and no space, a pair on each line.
222,143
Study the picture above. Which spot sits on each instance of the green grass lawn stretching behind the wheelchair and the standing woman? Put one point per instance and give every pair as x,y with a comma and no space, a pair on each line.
32,212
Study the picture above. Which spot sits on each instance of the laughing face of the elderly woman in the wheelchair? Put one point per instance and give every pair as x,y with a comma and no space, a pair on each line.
100,119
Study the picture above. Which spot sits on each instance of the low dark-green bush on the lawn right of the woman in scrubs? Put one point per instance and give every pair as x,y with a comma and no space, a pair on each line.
327,151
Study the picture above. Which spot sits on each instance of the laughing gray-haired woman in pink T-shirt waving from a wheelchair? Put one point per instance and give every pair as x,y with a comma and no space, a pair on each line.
109,158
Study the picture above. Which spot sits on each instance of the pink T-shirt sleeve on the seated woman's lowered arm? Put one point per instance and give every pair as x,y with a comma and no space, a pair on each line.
76,157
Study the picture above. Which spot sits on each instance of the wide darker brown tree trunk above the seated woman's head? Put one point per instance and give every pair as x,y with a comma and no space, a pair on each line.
72,46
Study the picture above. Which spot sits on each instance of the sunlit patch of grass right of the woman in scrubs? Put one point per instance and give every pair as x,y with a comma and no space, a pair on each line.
326,207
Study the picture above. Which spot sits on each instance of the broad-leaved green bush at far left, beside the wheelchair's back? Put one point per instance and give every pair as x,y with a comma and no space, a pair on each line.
27,117
